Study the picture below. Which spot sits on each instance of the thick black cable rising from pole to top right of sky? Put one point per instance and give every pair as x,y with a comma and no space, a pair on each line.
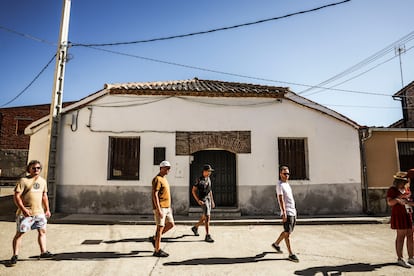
213,30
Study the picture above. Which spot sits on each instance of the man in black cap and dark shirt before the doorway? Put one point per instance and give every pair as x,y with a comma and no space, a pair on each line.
204,197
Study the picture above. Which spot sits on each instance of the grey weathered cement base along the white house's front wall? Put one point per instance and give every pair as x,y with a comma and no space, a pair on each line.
312,200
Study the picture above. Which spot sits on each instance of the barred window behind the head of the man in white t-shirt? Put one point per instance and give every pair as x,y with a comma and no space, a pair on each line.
292,153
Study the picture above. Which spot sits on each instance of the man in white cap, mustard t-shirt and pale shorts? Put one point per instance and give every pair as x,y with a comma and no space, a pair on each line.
161,205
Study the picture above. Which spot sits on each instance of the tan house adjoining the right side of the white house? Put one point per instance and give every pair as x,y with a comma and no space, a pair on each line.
386,151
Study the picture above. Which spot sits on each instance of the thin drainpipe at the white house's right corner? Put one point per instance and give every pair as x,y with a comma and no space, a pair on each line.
364,134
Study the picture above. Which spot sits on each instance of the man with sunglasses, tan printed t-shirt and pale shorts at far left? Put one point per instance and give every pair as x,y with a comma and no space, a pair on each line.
30,196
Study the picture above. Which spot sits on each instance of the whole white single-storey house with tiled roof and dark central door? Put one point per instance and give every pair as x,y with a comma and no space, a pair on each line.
112,141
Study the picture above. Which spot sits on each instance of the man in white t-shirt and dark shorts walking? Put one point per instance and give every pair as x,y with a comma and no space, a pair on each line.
287,211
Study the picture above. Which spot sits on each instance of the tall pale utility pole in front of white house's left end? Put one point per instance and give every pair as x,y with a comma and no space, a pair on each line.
56,105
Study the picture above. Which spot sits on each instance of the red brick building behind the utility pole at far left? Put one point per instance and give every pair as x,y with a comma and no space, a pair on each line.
14,144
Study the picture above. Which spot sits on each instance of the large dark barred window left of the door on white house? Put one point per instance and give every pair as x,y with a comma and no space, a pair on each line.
124,158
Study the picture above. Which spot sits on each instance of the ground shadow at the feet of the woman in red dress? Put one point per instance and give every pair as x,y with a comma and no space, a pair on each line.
339,269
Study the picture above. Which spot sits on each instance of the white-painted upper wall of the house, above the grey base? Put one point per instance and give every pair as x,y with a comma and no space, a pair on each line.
333,145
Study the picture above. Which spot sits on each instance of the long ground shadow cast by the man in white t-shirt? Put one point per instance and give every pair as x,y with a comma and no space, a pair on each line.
224,261
